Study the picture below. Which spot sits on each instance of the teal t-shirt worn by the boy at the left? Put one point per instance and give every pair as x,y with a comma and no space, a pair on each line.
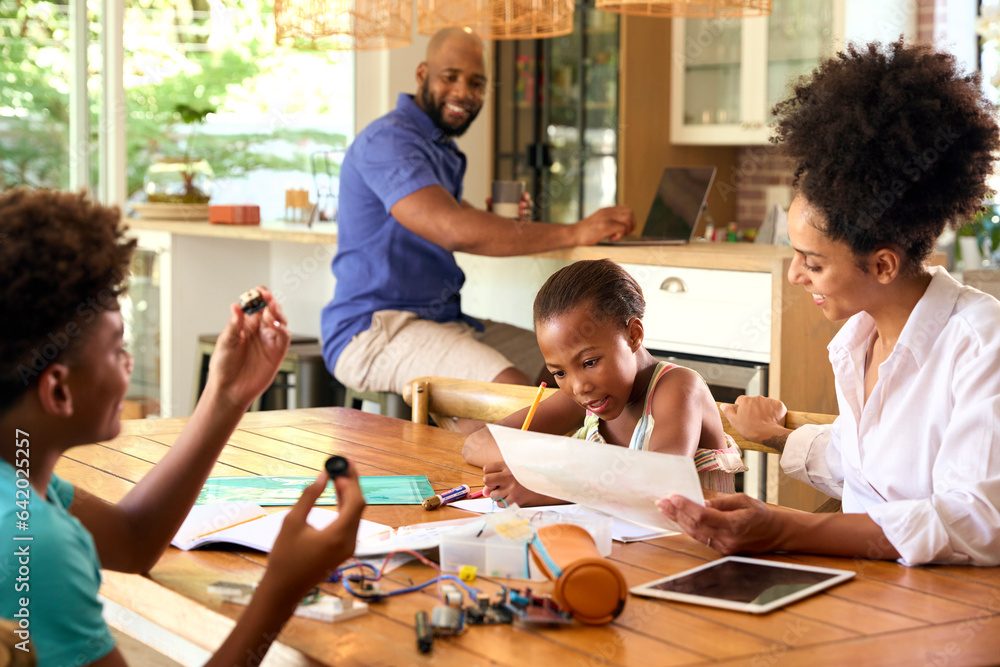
53,577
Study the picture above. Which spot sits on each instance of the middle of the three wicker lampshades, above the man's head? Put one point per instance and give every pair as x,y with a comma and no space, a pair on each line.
497,19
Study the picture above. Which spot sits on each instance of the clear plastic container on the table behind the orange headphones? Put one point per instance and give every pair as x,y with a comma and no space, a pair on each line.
495,555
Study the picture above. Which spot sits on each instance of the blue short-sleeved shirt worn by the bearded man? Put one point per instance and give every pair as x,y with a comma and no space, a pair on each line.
381,265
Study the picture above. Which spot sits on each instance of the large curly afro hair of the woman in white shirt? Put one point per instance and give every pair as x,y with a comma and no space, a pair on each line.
891,143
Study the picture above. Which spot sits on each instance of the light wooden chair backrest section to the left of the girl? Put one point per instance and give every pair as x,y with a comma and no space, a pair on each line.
467,399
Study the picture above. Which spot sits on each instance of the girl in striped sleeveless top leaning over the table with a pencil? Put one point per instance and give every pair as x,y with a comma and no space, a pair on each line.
588,320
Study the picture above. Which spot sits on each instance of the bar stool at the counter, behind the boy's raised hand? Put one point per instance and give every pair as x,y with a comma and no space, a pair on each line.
302,370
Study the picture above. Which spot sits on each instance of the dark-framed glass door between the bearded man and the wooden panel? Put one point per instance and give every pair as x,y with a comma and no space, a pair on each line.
556,110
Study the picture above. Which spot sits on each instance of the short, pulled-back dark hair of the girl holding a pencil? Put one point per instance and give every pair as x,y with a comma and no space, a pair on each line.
612,294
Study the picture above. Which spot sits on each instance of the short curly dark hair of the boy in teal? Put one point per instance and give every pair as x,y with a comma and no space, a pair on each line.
63,260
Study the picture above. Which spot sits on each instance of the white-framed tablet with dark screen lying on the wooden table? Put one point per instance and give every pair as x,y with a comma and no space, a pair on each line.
744,584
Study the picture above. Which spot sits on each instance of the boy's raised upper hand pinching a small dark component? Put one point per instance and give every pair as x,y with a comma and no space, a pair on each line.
249,351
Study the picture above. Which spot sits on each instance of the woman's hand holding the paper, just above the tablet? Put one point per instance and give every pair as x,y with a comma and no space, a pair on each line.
729,523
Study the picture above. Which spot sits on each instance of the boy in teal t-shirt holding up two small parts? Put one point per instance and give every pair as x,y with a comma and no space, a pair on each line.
63,377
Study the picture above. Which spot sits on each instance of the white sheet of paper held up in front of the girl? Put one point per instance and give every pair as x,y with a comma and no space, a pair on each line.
621,482
